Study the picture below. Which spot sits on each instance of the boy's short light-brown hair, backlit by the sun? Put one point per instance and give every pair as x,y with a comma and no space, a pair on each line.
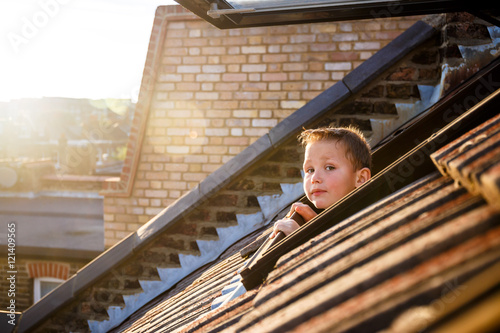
358,151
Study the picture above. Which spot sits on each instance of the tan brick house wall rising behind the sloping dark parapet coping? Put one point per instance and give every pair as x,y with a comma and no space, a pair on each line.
211,93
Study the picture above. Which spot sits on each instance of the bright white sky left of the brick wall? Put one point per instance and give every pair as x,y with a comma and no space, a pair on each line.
74,48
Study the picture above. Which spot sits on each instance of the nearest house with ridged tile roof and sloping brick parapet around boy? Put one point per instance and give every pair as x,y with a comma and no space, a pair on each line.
416,247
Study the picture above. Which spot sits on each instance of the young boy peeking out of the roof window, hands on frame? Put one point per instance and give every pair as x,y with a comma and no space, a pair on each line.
336,161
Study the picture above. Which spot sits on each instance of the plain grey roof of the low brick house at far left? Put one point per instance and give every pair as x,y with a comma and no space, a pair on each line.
60,227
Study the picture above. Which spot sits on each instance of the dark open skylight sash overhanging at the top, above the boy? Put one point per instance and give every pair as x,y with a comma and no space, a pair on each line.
226,14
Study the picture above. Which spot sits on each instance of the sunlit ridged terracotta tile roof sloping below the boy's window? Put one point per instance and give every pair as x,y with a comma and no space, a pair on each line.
417,259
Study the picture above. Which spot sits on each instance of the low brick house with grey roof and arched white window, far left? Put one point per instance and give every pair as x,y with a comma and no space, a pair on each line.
46,237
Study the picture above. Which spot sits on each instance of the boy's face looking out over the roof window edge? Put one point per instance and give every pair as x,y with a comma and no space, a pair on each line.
329,175
